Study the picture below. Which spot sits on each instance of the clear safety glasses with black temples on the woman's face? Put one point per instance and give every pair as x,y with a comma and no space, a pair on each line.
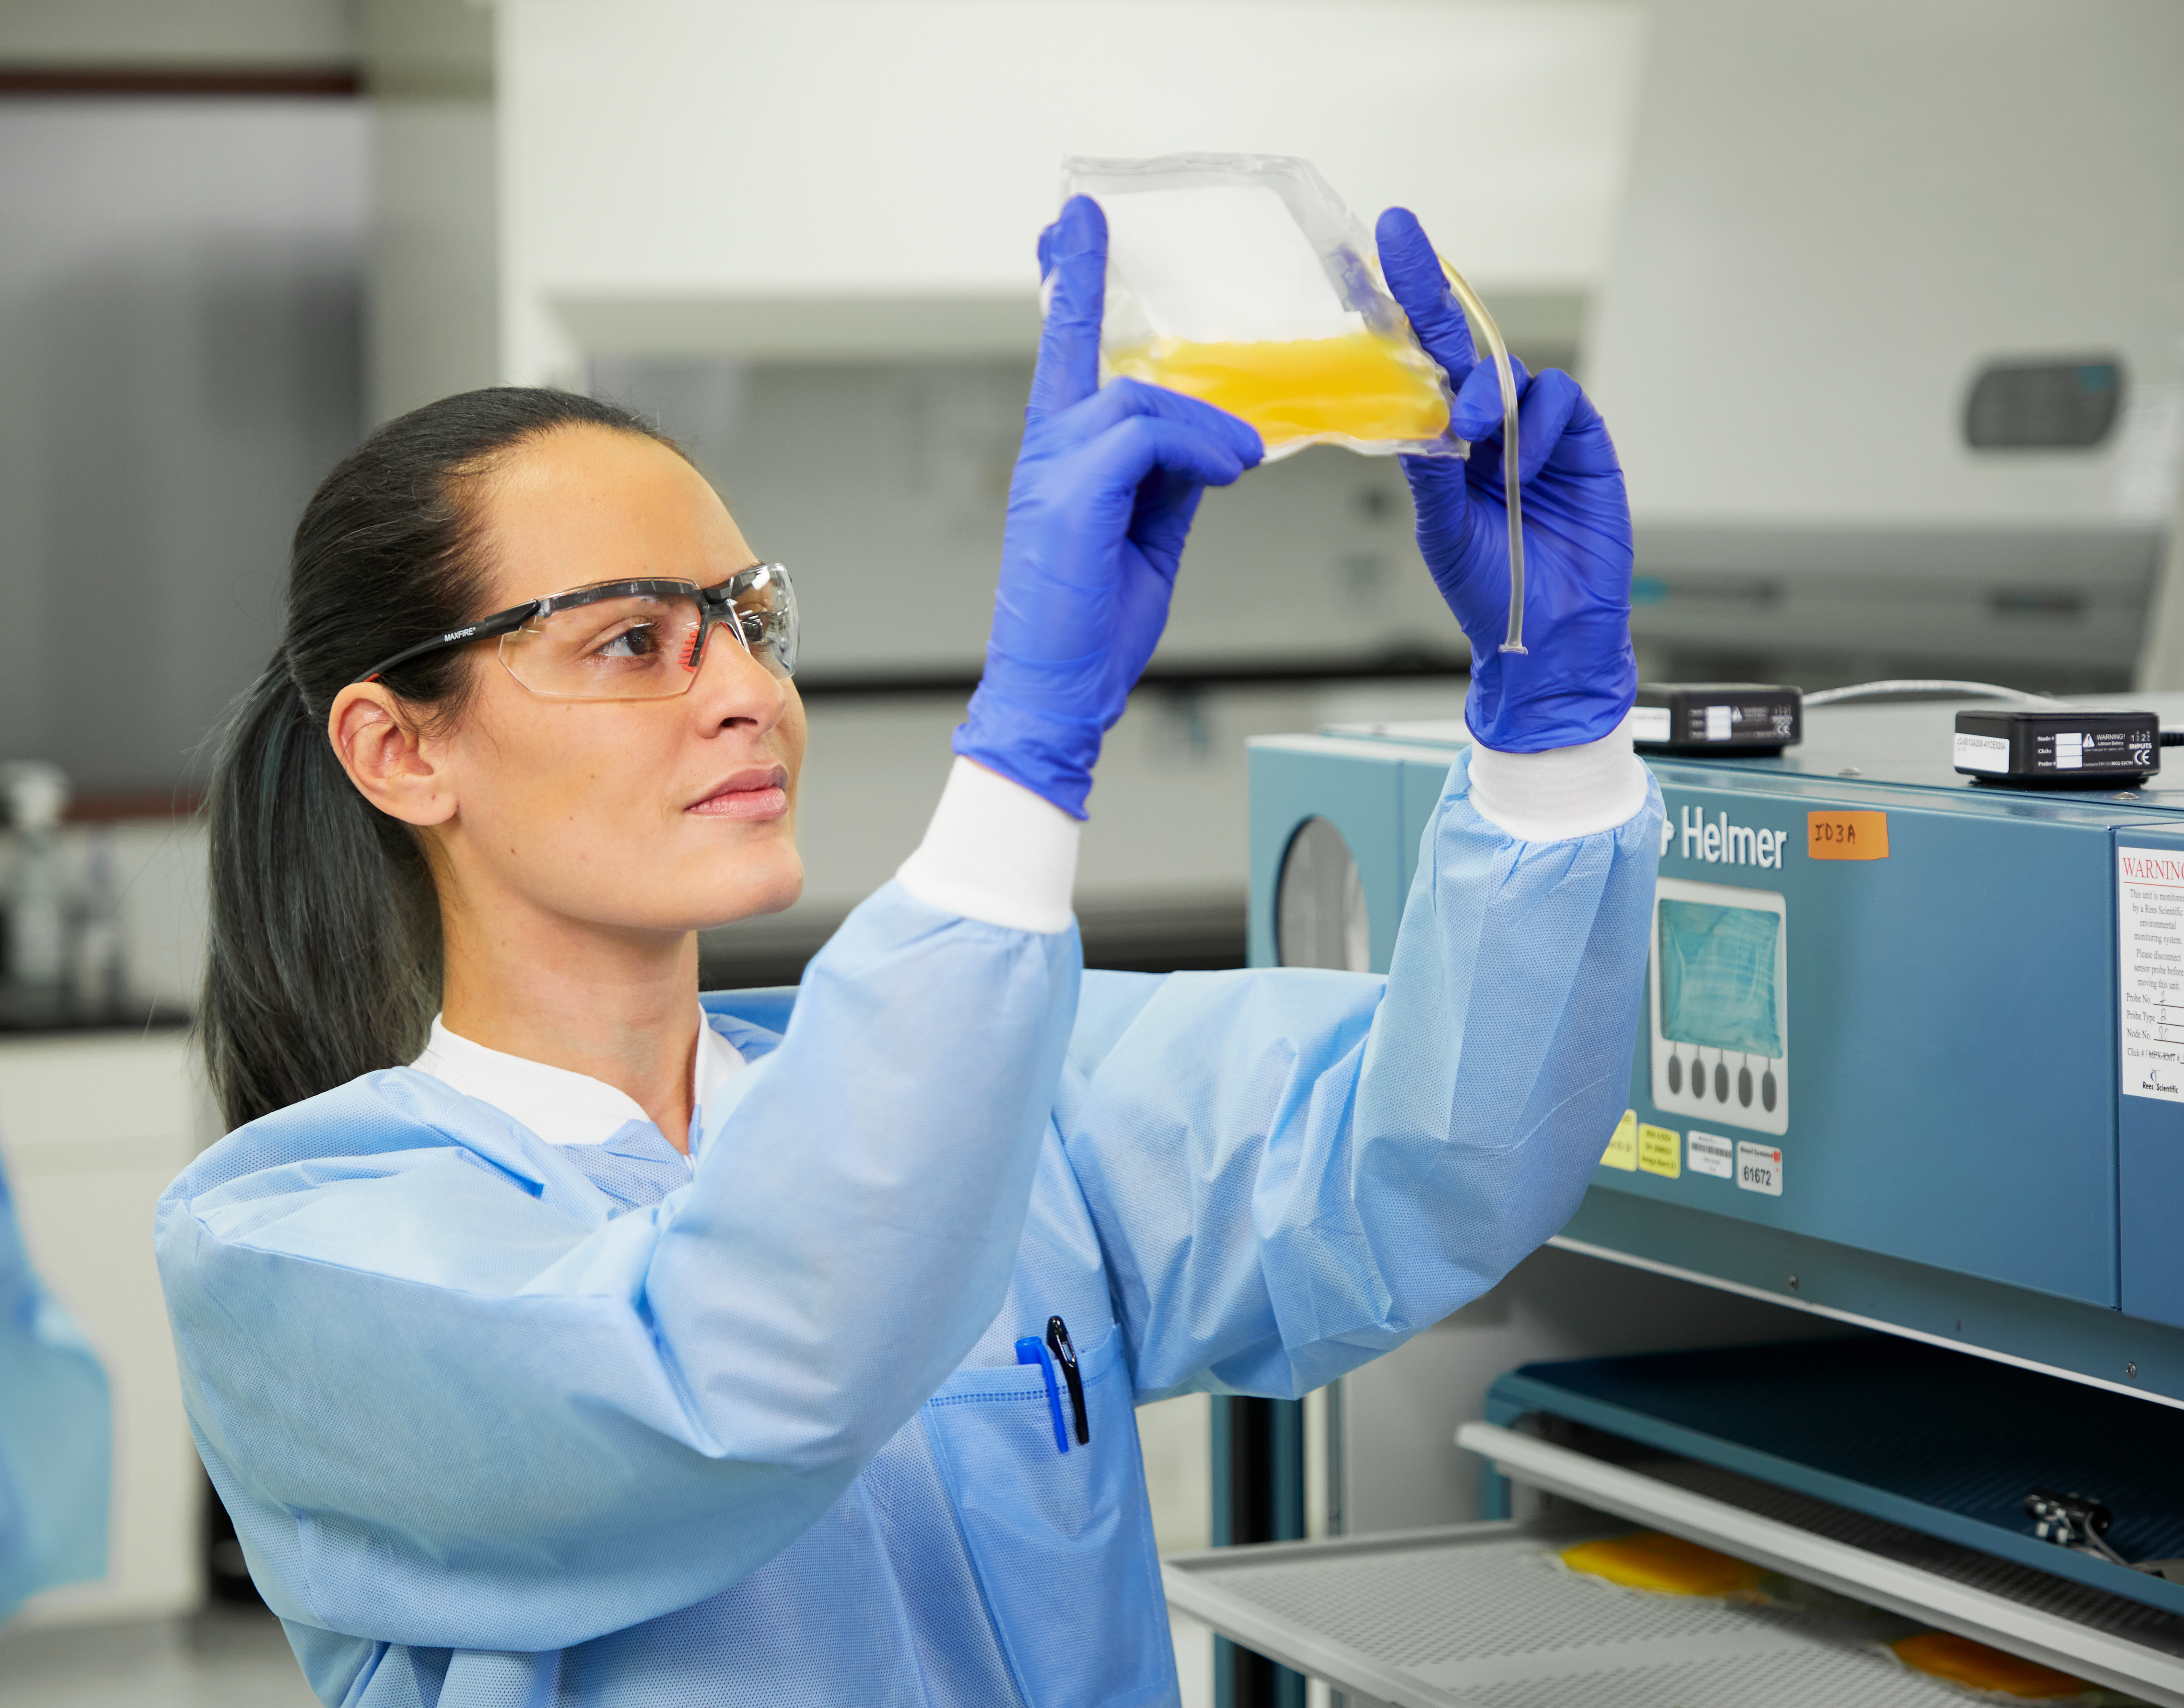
632,639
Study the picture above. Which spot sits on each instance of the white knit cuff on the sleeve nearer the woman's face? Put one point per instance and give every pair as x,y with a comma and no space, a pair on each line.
997,853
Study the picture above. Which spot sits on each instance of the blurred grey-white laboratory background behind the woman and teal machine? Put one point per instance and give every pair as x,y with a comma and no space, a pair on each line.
1884,305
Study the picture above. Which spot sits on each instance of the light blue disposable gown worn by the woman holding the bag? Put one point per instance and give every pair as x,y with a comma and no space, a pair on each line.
510,1423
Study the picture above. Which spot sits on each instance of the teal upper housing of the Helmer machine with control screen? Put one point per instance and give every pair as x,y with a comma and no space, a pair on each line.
1912,1047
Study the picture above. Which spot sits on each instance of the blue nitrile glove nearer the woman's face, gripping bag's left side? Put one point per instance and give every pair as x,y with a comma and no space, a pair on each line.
1104,495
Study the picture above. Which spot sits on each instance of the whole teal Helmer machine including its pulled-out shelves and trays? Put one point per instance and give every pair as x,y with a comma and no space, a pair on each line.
1903,1080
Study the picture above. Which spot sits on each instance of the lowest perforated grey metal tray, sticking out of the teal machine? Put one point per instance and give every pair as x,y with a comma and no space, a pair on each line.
1488,1617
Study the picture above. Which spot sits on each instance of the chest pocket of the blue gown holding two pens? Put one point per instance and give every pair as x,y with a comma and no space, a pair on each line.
1063,1541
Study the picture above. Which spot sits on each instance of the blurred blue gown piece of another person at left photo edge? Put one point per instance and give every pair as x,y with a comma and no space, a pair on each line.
56,1436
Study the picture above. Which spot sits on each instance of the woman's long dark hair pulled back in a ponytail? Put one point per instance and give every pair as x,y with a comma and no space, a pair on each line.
327,956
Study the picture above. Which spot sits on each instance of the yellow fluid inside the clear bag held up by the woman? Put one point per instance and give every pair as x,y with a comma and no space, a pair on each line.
1357,388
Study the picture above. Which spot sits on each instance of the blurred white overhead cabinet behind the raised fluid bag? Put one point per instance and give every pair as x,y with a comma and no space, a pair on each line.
700,158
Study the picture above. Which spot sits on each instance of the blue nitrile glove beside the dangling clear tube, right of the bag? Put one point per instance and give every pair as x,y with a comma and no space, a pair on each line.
1578,676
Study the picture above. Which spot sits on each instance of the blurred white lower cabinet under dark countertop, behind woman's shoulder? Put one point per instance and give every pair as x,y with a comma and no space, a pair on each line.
93,1128
